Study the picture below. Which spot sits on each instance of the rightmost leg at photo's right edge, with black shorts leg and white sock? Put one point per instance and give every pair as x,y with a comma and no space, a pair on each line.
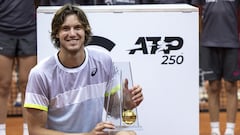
231,70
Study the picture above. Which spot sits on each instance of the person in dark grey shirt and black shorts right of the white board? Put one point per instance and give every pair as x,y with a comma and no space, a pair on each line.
219,46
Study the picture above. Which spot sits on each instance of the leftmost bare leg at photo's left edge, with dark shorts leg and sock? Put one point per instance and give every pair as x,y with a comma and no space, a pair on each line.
7,61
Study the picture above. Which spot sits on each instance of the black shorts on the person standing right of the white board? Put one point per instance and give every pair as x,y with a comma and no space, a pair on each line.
218,63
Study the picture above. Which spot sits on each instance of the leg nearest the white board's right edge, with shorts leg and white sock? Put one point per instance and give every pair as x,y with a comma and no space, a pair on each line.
210,62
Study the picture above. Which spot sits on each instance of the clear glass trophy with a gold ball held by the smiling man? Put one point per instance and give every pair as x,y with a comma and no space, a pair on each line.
119,107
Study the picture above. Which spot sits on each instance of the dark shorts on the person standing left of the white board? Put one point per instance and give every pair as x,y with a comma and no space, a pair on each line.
14,46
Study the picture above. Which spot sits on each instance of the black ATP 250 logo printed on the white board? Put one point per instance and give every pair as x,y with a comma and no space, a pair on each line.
154,45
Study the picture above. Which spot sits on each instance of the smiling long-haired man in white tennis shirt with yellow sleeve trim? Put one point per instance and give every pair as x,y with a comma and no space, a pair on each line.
63,97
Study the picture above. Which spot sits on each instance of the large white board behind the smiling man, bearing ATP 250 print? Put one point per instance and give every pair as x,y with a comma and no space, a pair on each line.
169,79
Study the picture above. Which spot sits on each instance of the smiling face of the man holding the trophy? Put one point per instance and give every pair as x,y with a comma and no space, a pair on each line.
71,35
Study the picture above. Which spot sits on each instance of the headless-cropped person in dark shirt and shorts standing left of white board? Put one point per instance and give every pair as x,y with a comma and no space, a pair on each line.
17,46
